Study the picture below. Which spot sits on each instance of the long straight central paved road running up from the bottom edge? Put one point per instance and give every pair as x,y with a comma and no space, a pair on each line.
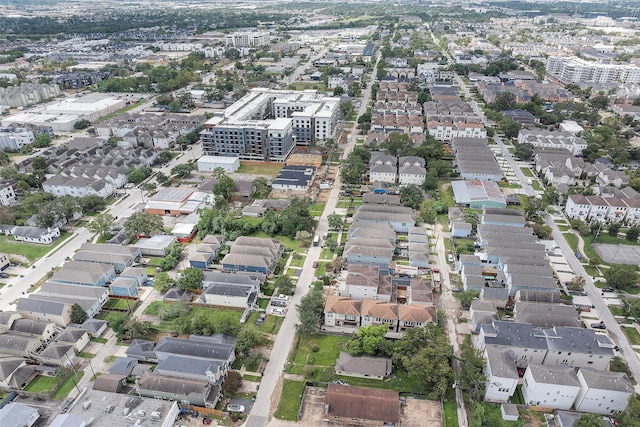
265,399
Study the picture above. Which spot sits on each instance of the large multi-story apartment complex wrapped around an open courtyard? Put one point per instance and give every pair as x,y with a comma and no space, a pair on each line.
266,124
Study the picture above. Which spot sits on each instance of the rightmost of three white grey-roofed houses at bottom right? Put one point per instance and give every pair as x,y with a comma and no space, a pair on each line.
603,392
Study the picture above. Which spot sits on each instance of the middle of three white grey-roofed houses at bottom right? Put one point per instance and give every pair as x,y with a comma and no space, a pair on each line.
550,386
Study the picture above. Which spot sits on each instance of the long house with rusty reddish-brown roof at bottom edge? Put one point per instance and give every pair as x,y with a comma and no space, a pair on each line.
349,405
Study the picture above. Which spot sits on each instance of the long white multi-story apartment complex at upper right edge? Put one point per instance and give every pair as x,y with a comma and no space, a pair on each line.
574,70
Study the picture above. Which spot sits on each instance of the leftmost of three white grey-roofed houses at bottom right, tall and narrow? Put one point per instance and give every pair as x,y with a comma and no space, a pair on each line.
502,375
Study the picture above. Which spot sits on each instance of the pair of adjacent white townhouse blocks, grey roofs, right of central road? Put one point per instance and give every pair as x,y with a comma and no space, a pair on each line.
392,170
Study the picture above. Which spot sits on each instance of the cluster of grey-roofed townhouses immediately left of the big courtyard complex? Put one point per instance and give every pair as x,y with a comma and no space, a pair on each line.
149,130
